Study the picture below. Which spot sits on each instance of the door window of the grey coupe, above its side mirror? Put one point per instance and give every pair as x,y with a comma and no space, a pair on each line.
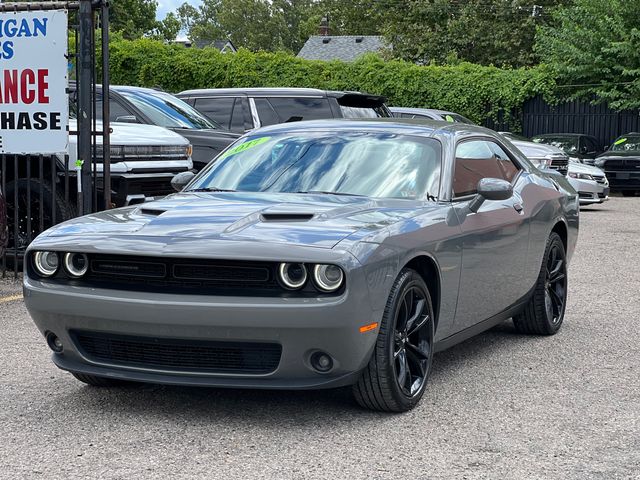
478,159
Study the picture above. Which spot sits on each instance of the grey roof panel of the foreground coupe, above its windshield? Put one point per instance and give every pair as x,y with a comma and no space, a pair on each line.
424,127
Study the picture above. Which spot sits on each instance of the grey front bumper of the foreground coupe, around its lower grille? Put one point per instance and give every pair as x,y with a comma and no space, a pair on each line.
301,326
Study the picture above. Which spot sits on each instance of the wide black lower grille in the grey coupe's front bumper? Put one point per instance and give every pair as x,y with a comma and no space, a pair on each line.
179,355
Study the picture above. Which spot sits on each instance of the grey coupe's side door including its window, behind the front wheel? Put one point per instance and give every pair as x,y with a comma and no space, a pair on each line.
495,238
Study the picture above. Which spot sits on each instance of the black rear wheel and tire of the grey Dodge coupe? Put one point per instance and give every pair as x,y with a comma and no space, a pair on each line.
544,312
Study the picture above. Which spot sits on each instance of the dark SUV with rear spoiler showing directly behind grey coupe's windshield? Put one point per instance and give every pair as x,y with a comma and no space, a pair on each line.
243,109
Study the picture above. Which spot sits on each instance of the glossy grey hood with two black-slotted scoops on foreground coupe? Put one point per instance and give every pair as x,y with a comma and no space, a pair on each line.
294,219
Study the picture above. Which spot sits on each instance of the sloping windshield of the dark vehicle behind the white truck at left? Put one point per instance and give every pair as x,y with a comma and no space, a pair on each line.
168,111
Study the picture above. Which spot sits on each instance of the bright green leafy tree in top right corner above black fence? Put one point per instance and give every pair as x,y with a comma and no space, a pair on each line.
595,50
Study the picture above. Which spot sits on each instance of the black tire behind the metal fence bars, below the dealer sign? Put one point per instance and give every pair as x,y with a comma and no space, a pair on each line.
50,202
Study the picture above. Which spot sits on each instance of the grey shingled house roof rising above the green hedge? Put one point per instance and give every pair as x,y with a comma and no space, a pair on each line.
342,47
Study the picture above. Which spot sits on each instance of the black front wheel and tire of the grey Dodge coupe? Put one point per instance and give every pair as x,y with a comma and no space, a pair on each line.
396,375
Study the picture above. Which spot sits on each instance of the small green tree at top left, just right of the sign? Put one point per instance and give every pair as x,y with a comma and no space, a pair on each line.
133,18
